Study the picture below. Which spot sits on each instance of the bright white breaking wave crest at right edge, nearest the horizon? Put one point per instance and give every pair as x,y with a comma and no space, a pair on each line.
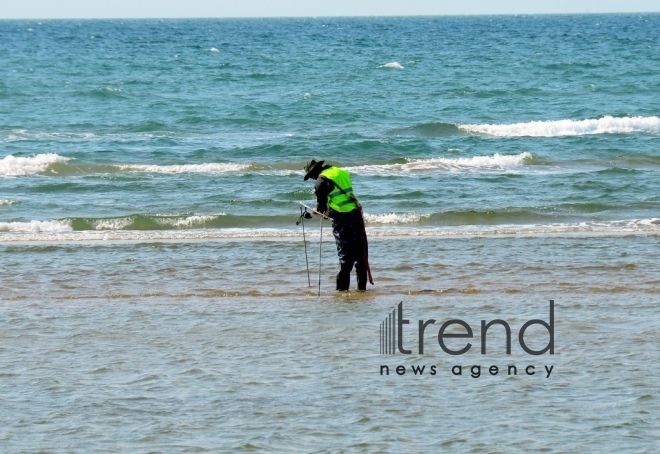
605,125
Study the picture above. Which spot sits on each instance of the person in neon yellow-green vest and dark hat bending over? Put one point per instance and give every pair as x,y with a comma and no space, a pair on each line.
335,199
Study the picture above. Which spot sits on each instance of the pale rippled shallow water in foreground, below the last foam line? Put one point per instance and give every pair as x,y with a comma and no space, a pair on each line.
221,345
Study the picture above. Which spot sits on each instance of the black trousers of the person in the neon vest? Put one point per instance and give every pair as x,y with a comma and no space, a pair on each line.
351,248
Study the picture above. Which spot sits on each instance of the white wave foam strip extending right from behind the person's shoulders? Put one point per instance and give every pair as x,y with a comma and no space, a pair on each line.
495,162
